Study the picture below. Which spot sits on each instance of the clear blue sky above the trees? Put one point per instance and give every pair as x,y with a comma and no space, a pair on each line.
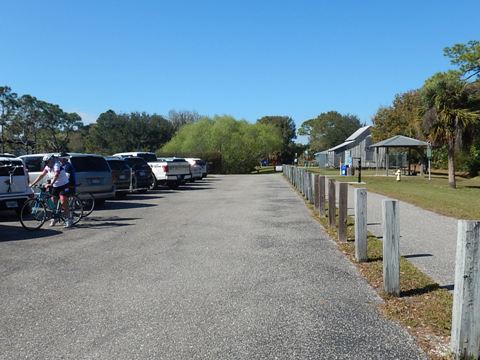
243,58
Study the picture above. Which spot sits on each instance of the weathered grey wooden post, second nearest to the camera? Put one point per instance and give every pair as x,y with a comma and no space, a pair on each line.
391,247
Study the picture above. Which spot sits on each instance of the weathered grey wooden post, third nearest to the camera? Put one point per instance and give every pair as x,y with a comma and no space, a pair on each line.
360,200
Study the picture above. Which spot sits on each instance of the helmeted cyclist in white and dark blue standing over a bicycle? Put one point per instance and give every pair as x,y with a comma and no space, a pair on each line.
58,183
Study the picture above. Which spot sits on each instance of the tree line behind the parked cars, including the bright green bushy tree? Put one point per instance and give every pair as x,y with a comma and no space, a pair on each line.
29,125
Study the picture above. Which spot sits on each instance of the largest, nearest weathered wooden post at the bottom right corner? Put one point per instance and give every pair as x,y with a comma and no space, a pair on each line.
466,299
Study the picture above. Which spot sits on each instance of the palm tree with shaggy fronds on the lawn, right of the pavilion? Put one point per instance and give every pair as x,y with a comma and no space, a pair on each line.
448,115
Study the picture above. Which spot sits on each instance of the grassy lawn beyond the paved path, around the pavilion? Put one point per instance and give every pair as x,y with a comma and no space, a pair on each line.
434,195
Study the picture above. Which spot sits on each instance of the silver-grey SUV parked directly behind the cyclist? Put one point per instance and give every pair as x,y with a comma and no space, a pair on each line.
92,174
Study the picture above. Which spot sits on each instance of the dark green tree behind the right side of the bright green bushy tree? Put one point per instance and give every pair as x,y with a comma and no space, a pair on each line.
287,128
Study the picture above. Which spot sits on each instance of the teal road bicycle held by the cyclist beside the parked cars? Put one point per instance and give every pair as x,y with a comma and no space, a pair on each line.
42,208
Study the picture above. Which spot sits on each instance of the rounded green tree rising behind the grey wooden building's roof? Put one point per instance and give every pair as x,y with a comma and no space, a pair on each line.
329,129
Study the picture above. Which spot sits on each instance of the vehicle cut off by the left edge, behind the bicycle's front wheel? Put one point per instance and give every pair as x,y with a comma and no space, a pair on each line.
14,189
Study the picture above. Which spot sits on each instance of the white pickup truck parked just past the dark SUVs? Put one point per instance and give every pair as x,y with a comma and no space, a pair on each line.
166,171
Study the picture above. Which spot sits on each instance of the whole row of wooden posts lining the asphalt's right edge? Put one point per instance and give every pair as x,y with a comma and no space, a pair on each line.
465,340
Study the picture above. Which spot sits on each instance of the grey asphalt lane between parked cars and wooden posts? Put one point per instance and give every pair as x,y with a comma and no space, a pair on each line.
233,267
